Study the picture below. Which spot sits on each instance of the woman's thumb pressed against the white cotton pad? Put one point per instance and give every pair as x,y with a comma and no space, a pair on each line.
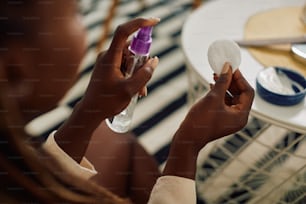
224,80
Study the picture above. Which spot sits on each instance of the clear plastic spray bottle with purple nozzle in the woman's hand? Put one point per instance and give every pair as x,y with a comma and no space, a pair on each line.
138,55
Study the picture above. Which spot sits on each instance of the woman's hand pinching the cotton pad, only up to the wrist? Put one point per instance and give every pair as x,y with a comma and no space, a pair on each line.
218,114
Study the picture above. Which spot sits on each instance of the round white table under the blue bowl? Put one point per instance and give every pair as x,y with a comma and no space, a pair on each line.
225,19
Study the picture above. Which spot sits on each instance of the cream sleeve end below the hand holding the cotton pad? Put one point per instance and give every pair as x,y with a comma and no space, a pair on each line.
173,190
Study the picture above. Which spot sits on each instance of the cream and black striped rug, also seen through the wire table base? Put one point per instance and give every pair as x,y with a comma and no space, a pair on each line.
260,164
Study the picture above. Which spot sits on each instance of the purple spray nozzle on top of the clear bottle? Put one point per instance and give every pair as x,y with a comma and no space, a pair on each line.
141,42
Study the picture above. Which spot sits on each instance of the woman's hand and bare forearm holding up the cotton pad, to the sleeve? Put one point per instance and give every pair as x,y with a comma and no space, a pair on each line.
214,116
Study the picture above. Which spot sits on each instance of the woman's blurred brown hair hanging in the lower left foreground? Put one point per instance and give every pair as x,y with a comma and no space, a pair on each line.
24,178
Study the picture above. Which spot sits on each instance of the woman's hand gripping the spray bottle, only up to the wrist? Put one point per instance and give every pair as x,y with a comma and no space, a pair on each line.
108,91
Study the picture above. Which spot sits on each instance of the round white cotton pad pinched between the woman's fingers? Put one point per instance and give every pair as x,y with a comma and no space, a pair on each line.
222,51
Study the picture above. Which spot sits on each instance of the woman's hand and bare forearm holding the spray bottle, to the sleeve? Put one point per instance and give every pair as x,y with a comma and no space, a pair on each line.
107,94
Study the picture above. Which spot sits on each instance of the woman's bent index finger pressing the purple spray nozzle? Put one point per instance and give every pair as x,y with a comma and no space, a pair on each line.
124,30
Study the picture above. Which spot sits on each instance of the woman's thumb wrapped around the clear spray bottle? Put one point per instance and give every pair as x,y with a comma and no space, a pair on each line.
140,78
